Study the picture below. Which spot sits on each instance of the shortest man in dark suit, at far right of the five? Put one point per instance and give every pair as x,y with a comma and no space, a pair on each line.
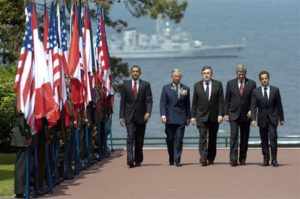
266,103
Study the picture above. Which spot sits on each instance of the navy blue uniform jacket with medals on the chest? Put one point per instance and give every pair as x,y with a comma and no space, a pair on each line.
177,110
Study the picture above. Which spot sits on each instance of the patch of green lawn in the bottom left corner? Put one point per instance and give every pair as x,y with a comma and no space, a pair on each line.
7,162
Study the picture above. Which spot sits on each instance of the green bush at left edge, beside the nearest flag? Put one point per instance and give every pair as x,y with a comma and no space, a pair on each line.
7,104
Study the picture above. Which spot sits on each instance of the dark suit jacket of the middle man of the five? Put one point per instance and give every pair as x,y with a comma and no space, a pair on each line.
203,109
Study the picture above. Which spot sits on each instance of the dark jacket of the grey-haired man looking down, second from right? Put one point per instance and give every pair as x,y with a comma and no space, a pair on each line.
235,104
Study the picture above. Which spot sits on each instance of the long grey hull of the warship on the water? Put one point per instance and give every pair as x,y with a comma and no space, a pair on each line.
201,52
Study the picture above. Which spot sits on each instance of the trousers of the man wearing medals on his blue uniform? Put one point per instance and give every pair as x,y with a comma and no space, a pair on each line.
174,140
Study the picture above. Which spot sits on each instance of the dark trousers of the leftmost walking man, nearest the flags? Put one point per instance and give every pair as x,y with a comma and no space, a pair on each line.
135,141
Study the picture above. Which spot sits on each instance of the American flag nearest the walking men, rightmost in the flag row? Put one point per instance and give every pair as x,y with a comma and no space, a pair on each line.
103,55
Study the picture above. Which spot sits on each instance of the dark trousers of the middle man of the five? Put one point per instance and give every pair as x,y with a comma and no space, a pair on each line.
208,139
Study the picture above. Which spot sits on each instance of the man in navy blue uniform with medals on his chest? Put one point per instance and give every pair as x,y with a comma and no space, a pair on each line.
175,114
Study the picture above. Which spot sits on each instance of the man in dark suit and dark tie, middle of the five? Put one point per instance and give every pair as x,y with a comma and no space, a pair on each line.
207,113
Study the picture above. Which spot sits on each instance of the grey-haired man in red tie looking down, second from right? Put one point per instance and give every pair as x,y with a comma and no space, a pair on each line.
237,112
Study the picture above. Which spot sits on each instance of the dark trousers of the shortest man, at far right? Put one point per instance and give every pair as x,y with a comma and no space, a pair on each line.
268,133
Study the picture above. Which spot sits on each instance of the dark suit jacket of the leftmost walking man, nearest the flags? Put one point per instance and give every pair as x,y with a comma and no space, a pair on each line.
134,109
